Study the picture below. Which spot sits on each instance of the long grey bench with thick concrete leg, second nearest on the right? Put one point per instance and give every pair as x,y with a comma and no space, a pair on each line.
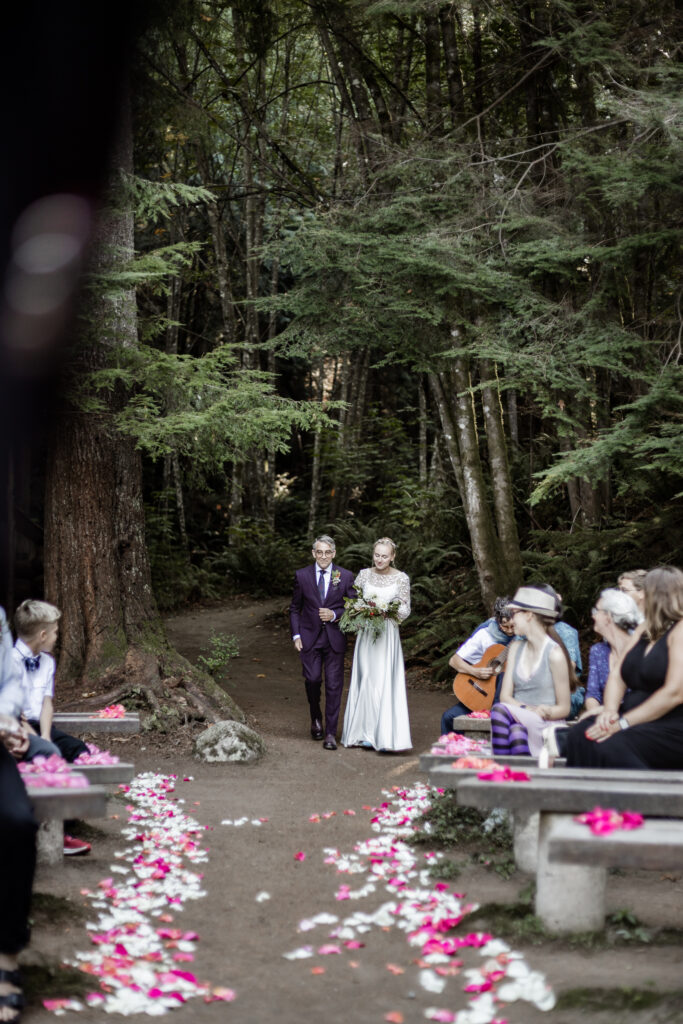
572,898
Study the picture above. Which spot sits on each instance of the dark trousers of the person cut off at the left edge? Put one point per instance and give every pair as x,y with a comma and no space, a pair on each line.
18,857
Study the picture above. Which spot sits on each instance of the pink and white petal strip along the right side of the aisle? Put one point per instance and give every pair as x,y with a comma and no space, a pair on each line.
426,912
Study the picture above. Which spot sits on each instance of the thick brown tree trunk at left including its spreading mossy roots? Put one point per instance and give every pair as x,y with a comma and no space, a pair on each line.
97,564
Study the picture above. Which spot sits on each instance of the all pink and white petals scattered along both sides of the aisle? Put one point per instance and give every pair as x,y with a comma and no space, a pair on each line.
140,956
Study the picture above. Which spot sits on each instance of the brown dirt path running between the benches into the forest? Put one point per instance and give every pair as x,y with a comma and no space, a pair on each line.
243,940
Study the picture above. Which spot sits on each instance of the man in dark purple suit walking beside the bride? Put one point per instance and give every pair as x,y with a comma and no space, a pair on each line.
317,607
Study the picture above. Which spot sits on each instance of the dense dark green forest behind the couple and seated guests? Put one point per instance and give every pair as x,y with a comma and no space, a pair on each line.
374,268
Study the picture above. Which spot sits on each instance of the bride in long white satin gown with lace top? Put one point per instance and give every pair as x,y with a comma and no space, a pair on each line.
377,707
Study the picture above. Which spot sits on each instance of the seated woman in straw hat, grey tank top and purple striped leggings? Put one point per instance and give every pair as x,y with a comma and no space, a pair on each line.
538,676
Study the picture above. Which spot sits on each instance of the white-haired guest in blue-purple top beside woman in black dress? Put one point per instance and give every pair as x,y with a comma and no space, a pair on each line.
615,618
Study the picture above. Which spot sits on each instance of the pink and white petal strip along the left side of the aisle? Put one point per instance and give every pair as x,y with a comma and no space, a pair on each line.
140,959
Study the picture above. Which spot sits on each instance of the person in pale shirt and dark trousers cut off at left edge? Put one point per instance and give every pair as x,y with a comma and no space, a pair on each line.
18,829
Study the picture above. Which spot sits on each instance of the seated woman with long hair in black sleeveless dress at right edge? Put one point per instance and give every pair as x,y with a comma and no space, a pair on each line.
642,729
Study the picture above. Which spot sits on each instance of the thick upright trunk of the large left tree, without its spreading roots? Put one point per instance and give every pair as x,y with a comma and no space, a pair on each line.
97,567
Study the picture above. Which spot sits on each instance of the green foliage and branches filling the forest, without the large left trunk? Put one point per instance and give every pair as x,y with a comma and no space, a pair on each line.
550,249
